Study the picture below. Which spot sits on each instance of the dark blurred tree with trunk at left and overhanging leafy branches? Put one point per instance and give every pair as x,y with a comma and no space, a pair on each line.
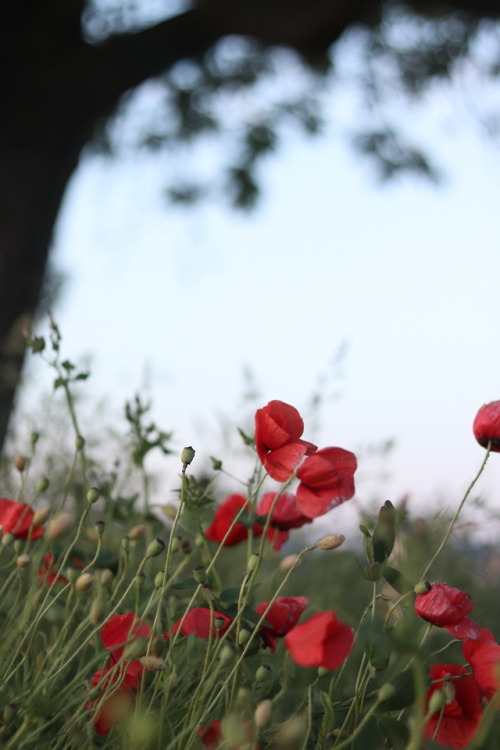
67,65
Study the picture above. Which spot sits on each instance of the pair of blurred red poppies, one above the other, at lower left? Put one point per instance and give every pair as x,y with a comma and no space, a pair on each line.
119,678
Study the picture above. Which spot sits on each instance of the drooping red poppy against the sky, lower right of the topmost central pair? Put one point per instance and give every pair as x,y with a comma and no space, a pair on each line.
326,480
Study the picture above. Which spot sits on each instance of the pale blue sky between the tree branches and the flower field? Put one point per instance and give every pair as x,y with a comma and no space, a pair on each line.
408,274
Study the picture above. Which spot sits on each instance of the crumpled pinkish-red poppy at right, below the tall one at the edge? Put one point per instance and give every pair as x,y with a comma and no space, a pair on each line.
448,608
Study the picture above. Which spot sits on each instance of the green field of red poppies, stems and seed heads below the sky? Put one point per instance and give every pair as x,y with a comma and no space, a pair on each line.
189,626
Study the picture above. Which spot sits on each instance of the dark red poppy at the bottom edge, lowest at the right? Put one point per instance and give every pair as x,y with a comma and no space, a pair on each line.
456,724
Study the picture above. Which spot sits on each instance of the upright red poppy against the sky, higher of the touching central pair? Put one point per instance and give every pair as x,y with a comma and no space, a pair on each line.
278,427
